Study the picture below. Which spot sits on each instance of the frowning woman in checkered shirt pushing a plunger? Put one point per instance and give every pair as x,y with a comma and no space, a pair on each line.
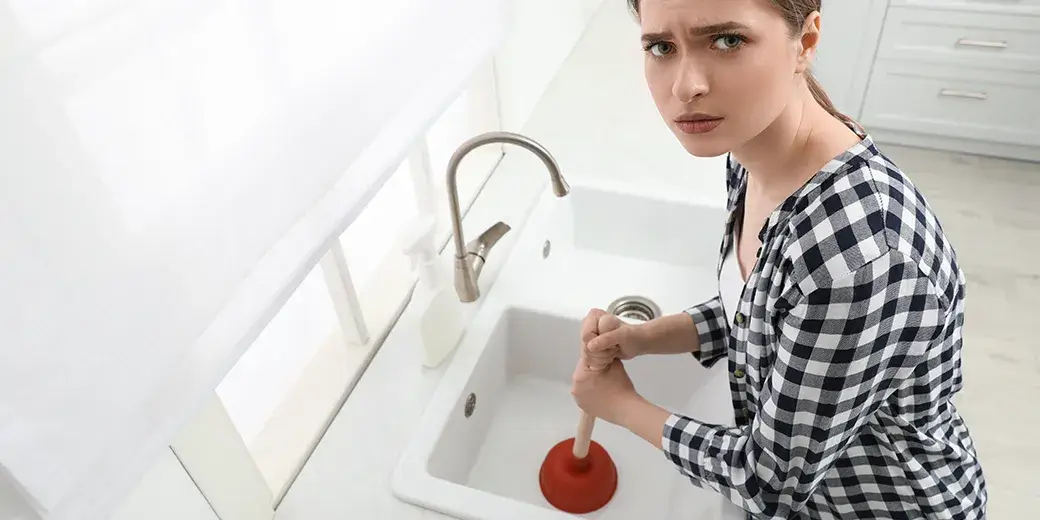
841,303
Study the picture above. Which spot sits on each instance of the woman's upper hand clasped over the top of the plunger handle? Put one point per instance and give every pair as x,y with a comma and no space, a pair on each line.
606,337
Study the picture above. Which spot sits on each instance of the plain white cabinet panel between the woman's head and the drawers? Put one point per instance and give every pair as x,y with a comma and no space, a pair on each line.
850,34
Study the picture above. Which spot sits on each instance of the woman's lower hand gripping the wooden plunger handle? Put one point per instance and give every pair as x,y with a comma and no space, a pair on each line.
604,394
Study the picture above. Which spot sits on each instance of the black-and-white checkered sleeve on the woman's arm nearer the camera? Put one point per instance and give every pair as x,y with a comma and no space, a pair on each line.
843,350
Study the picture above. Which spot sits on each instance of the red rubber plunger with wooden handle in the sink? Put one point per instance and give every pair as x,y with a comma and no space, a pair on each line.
578,476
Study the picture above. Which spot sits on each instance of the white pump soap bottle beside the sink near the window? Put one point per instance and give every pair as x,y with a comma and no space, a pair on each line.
438,310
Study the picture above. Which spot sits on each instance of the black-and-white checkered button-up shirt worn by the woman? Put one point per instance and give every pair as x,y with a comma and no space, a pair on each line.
844,355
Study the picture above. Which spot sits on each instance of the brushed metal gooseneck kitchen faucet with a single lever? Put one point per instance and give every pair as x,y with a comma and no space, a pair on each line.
472,257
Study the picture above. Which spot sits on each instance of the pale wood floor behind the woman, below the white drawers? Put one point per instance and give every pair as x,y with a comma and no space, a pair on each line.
991,210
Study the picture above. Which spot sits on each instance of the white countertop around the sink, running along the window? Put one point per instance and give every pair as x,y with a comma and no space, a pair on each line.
599,121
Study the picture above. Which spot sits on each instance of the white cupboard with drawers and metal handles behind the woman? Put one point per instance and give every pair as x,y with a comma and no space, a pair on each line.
957,75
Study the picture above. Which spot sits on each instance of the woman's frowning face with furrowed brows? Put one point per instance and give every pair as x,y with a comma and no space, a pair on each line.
720,71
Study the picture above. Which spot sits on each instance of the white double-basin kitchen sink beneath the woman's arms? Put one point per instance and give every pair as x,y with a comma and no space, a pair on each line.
512,370
